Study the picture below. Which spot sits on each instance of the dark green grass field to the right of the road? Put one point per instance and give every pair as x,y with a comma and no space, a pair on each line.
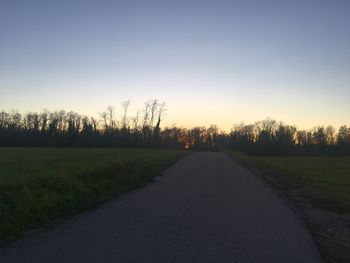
325,181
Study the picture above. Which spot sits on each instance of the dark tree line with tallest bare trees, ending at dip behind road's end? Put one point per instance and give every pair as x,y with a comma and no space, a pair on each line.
70,129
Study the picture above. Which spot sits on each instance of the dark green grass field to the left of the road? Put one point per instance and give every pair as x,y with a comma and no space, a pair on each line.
38,186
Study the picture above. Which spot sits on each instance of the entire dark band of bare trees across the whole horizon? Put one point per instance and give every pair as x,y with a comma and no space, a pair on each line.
70,129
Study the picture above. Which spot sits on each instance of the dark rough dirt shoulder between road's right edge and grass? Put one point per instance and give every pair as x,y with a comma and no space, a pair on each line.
330,230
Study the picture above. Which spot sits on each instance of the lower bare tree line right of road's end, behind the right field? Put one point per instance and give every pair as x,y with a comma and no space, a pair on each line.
272,137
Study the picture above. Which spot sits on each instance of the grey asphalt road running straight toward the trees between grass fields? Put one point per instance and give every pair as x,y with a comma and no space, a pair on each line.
205,208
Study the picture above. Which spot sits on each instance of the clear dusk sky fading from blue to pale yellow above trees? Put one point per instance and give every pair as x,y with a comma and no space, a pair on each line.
212,62
